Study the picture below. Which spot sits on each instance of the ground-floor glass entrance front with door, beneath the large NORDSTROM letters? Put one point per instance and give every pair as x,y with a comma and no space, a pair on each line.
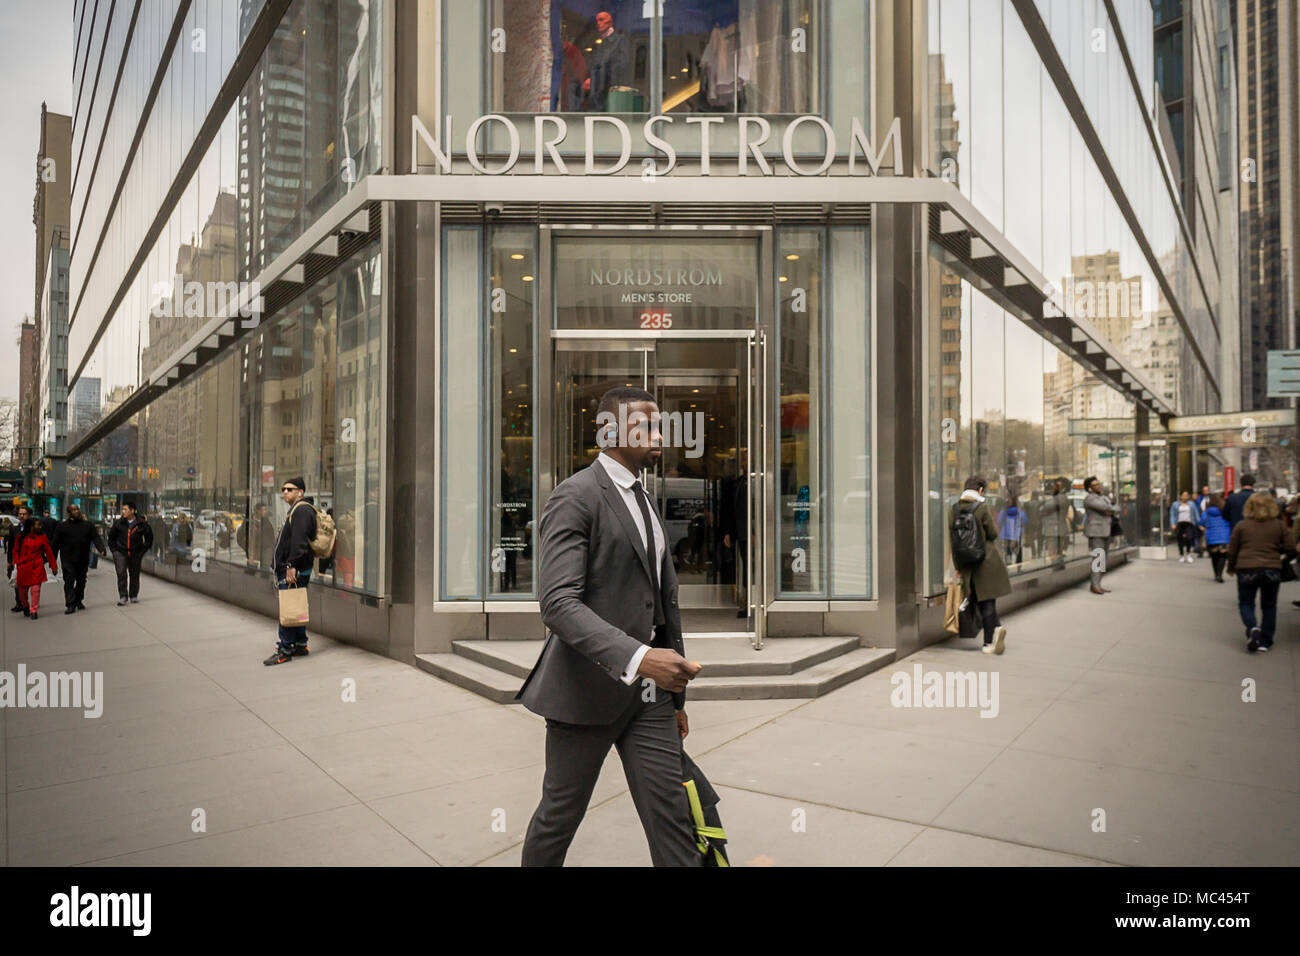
664,313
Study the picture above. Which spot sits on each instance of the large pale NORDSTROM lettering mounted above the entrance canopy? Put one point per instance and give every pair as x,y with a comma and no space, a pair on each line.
753,133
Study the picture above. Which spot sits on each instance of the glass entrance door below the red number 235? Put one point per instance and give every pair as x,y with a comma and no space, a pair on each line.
708,495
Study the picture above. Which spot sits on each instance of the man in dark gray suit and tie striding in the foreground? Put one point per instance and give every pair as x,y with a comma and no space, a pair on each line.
613,671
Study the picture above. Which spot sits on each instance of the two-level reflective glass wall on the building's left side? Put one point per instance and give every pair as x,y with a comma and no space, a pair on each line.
301,395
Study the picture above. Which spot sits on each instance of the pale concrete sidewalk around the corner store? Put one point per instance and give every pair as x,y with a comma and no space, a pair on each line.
1128,706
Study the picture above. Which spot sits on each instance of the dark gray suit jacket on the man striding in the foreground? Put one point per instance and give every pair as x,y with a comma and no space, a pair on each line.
597,604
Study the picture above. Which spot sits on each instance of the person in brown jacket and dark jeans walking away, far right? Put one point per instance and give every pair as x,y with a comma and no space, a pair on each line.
1255,555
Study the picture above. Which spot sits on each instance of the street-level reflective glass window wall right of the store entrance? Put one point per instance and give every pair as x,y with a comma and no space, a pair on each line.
1012,408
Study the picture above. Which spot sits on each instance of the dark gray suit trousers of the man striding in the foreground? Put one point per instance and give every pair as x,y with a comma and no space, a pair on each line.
651,750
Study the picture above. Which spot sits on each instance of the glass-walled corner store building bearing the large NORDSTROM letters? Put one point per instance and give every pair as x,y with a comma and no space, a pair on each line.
857,250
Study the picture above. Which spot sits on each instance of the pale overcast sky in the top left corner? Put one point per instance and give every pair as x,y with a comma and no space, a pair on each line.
36,64
